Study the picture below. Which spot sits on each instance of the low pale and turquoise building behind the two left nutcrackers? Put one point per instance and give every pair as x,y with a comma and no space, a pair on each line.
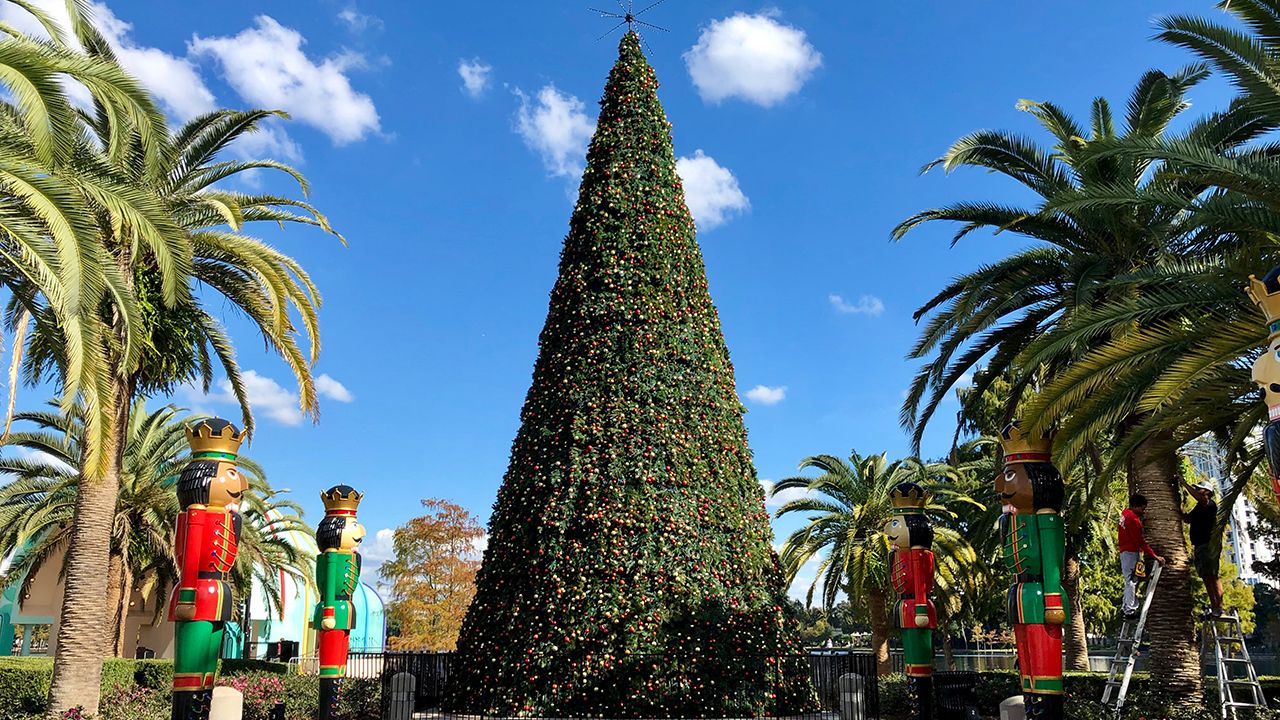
30,626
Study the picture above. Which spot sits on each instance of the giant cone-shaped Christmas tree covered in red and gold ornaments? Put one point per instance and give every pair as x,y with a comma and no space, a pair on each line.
629,569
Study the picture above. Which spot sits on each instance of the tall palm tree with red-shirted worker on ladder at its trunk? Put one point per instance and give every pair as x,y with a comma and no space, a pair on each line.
1011,315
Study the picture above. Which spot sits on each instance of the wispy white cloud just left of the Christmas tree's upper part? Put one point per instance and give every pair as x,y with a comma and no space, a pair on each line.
556,127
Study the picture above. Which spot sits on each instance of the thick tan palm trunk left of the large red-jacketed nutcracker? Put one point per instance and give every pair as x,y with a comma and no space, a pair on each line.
83,625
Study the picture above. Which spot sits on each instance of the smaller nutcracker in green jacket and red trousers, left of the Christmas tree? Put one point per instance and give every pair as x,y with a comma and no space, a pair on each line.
337,576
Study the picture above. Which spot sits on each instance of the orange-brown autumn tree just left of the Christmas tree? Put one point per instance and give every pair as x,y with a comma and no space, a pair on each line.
433,577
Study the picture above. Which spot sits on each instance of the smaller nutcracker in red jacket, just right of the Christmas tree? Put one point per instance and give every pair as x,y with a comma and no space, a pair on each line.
912,539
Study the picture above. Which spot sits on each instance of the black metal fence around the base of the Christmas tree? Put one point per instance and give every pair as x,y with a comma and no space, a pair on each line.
432,672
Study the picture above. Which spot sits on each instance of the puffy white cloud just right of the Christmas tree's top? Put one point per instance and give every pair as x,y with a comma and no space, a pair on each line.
755,58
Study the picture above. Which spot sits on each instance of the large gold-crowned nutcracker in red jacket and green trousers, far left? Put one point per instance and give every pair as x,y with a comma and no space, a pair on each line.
209,493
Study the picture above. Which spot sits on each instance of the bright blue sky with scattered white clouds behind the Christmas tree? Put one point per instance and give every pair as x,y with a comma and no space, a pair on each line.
444,140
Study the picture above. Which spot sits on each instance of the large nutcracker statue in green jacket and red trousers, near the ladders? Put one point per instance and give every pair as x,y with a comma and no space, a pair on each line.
1034,545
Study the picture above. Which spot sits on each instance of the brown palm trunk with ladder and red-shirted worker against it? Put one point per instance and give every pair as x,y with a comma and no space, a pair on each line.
1176,672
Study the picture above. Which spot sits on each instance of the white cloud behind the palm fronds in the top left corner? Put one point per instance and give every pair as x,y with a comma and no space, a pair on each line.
175,80
